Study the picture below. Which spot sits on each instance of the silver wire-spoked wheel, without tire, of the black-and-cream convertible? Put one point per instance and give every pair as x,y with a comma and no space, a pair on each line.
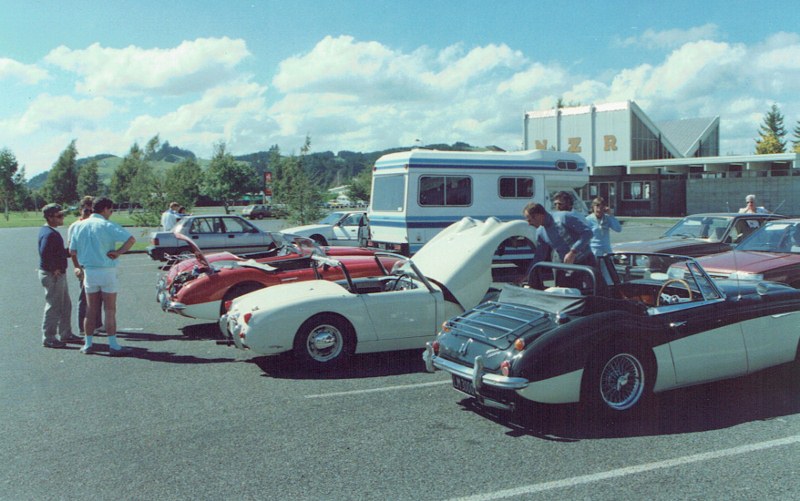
622,382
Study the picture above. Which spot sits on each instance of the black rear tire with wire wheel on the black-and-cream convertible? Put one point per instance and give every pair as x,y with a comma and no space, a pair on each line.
618,382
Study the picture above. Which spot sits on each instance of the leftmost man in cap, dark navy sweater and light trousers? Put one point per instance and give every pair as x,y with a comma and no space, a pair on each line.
52,274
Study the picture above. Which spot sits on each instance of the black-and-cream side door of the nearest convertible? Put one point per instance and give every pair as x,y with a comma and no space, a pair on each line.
707,343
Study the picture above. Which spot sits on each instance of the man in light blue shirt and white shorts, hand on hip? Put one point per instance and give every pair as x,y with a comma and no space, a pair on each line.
94,243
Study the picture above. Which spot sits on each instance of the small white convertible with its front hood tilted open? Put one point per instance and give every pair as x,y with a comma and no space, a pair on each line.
324,322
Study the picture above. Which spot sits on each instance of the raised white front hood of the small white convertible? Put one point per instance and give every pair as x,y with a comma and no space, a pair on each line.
460,256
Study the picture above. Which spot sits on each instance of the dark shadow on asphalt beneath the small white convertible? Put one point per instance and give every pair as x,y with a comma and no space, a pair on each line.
358,366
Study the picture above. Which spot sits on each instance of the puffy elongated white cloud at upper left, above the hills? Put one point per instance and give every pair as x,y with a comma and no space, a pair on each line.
190,67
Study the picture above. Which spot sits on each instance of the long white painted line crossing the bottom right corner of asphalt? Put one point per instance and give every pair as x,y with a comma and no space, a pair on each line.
597,477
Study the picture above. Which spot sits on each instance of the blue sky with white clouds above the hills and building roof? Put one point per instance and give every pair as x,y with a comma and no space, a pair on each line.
370,75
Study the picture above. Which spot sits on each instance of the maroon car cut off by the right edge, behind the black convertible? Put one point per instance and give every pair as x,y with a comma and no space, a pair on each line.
770,253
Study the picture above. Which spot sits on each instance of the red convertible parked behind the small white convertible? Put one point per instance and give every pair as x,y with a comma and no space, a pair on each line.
199,287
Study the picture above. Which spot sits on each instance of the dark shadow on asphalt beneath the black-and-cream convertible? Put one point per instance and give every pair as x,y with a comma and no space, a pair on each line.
763,396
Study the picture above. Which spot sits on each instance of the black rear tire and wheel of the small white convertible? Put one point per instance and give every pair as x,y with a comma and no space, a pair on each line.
324,340
